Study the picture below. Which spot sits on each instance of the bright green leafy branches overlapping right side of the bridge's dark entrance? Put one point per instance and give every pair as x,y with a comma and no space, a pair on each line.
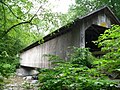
110,41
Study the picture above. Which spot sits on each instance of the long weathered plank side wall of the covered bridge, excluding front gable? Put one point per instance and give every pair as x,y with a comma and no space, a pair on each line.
57,46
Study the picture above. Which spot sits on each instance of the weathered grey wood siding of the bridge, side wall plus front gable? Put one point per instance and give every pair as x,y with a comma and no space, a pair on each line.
34,57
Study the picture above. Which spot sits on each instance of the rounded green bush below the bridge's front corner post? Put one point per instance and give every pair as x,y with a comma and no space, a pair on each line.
81,57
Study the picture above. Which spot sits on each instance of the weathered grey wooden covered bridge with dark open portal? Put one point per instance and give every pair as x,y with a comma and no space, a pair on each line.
81,33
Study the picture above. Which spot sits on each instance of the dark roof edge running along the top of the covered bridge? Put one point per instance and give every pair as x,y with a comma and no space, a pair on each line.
65,28
